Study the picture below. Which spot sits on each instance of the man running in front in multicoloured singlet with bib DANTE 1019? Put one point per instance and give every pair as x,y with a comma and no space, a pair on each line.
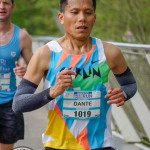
76,85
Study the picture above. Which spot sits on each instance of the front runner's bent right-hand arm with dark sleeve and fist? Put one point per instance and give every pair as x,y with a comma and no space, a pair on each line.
123,75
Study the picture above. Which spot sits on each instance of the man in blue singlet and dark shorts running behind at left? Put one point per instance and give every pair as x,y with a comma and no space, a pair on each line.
14,42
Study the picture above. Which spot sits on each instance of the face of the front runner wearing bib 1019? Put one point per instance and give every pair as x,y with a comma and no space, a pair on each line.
78,18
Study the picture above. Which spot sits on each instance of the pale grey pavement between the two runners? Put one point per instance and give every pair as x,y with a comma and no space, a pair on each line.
35,123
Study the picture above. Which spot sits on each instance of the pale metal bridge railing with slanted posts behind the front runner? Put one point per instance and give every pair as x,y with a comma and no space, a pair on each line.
132,120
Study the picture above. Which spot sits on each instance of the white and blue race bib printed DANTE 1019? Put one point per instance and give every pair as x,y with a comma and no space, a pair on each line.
81,104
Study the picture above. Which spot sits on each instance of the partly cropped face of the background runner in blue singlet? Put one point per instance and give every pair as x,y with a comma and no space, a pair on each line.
6,8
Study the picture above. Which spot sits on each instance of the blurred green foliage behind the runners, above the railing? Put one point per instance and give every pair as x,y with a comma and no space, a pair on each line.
117,20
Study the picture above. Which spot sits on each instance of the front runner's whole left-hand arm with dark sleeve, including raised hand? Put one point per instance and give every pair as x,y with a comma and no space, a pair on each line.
25,99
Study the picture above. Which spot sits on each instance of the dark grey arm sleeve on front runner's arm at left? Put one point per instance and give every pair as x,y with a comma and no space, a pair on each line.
25,100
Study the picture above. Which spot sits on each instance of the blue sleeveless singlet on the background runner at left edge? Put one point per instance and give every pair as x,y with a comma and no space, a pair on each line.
9,53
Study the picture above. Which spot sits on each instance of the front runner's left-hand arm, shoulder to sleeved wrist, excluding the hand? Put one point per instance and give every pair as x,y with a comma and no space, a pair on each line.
25,99
